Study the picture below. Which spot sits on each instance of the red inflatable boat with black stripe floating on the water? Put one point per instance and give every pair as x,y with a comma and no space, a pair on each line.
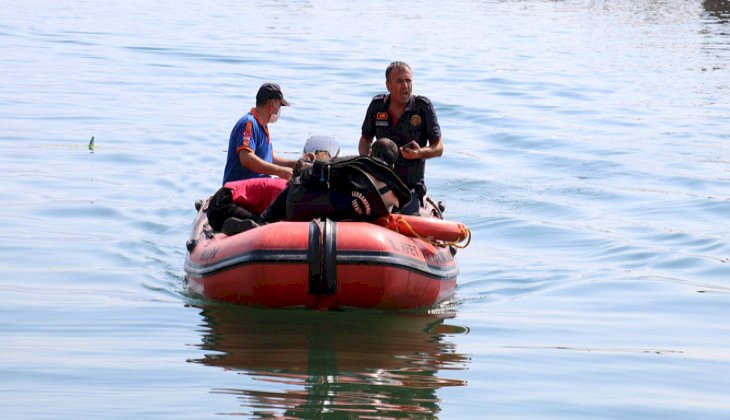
398,262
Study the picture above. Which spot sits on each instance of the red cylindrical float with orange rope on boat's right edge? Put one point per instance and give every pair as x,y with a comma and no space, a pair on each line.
436,231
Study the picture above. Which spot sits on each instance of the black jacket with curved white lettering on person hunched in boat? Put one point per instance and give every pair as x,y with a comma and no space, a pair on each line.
343,189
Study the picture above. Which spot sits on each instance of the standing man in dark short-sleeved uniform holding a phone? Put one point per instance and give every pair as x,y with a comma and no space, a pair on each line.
407,119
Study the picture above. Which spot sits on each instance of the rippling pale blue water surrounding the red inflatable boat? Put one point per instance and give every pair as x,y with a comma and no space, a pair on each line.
587,148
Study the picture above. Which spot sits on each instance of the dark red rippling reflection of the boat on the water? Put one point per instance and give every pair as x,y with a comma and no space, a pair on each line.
347,363
